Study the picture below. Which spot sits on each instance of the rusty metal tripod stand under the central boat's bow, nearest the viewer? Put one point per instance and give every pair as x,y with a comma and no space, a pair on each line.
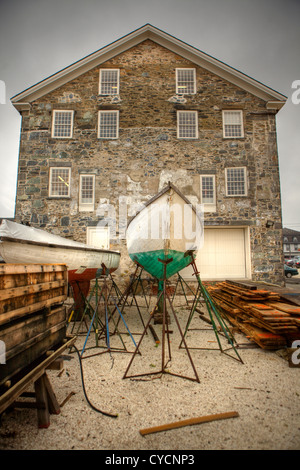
165,359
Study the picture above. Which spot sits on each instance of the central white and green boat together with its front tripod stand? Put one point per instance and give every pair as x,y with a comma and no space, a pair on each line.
163,238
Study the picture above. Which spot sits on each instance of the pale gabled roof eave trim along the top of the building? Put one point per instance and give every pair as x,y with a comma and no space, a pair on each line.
274,99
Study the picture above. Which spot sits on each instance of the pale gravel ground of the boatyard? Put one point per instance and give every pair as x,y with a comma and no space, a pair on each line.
263,389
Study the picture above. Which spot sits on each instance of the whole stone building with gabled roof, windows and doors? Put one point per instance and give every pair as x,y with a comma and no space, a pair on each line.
105,134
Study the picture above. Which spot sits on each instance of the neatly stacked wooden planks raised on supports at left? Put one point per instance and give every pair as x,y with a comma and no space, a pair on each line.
32,314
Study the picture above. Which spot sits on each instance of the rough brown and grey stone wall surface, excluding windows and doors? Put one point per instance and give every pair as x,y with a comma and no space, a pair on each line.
148,154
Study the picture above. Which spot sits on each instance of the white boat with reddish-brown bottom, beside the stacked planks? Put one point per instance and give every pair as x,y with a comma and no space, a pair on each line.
28,245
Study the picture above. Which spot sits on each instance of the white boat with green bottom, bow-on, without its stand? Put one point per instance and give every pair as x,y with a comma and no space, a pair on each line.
168,228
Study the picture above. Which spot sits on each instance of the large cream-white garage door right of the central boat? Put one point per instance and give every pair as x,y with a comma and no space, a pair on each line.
223,255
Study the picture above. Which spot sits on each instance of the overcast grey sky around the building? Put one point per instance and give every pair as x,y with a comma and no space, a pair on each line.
258,37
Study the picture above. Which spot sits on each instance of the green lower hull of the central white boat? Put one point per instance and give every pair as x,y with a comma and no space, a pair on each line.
149,260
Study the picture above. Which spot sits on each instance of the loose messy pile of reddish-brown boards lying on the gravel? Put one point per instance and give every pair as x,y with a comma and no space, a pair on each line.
260,314
